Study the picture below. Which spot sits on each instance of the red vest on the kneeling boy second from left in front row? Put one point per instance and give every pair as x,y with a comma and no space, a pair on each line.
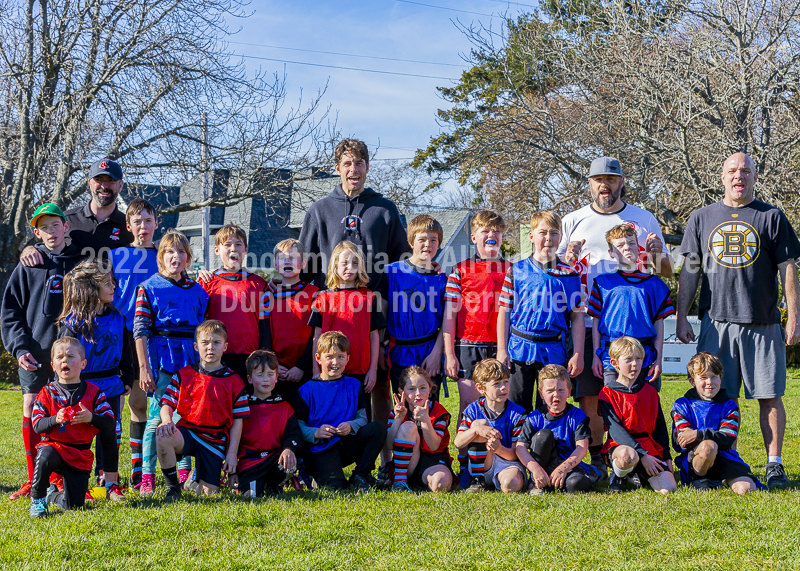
206,401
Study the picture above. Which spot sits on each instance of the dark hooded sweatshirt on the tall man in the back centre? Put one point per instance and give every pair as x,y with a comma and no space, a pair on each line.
368,220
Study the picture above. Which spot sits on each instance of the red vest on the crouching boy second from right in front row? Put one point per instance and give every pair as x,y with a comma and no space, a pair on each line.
638,413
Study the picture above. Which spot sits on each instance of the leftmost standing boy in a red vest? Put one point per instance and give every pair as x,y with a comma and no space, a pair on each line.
237,298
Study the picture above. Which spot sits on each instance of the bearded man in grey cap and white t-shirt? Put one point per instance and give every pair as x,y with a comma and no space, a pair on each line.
583,245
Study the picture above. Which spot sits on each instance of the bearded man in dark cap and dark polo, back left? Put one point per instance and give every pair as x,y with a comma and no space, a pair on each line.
98,224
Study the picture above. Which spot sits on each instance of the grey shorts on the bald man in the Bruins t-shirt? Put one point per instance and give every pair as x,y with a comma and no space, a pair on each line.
751,353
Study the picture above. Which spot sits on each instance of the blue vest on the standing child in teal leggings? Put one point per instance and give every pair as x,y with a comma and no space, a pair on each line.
177,311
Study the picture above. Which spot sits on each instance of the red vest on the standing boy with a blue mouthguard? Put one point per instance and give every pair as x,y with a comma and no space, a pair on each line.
481,283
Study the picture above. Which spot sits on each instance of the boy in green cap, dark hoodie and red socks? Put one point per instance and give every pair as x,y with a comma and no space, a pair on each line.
32,301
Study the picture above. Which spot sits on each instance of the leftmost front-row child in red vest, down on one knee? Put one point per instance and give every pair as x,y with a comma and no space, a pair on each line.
68,414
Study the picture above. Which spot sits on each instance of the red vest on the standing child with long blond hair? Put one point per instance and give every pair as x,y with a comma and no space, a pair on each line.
348,311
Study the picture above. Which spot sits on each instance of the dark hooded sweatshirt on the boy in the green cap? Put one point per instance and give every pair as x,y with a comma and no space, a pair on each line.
33,300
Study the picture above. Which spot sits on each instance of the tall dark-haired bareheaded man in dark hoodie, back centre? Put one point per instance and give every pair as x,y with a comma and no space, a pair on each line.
352,212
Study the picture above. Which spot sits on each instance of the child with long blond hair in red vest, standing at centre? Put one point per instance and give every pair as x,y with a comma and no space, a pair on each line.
348,306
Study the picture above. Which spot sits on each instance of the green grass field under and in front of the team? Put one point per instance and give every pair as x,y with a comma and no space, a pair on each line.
384,530
